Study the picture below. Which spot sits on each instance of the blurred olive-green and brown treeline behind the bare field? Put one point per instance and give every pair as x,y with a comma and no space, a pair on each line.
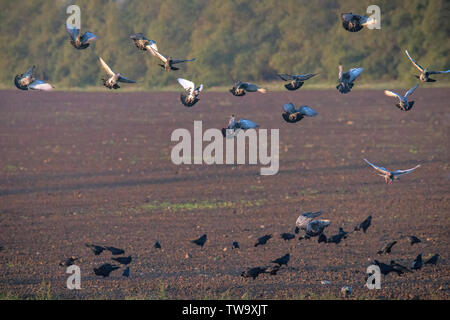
231,39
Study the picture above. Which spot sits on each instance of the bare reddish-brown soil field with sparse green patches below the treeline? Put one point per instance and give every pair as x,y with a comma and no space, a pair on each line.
80,168
